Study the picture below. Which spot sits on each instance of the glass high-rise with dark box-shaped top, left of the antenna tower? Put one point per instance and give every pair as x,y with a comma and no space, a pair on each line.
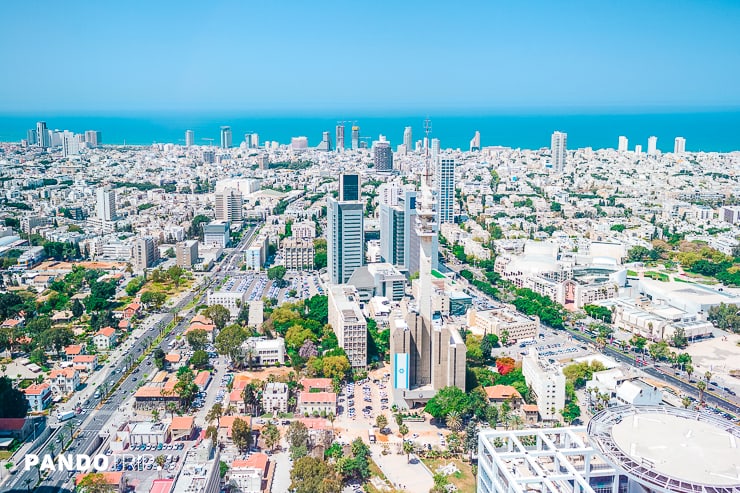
345,234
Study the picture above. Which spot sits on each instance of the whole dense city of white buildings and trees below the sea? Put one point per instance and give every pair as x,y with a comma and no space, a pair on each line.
355,316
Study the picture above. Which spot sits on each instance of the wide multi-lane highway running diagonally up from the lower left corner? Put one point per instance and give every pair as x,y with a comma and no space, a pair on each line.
87,427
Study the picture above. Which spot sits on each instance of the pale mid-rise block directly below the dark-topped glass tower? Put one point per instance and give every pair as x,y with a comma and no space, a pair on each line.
350,326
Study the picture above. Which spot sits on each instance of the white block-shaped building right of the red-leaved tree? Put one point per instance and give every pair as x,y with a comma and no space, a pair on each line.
548,384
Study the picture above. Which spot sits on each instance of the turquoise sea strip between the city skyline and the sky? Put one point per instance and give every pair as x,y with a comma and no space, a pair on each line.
715,131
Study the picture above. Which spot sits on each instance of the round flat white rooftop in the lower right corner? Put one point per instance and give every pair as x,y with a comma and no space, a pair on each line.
667,449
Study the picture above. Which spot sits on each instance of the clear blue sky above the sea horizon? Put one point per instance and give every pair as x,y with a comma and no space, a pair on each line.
323,56
